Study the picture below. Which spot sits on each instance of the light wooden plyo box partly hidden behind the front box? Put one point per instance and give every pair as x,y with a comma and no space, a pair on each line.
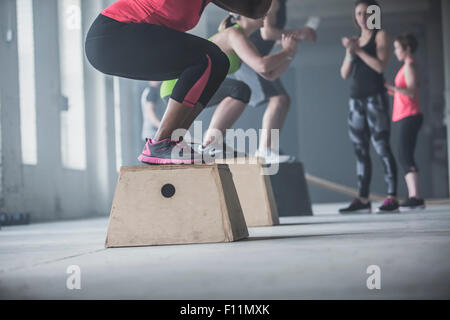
254,190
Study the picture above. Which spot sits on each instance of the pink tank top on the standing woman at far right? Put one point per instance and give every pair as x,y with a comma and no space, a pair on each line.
404,106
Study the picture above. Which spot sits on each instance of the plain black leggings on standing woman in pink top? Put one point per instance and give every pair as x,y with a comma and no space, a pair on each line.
409,129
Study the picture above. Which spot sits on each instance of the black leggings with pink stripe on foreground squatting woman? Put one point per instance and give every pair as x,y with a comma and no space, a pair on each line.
149,52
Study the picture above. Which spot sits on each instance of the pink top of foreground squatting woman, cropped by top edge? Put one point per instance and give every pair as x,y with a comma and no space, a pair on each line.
181,15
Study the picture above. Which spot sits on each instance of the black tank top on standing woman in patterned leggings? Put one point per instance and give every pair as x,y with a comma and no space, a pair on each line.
366,82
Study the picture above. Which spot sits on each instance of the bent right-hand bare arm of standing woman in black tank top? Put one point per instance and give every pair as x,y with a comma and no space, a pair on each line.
378,63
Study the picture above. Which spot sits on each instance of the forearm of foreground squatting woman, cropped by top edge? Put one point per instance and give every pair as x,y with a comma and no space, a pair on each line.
254,9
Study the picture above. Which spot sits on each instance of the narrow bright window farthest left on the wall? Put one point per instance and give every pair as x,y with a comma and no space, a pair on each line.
27,88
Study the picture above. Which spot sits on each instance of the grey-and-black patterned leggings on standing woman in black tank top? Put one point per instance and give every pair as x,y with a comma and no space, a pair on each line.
369,120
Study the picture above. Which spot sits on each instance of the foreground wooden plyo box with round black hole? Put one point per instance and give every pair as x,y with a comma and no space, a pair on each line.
162,205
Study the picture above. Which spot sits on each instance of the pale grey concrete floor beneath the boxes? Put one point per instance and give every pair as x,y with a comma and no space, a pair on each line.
321,257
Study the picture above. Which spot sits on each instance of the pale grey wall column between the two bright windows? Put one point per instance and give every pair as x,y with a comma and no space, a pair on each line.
43,198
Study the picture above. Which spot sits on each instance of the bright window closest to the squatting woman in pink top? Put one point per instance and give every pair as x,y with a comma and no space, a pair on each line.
73,130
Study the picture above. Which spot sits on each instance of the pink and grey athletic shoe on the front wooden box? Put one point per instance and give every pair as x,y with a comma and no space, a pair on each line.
167,152
